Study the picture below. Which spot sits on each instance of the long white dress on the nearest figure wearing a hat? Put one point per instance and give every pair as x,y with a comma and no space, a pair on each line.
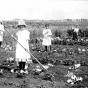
21,54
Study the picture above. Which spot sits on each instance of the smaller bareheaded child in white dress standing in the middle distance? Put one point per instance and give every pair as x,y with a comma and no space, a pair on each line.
47,37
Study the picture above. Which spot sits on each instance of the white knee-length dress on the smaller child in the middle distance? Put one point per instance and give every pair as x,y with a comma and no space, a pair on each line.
47,37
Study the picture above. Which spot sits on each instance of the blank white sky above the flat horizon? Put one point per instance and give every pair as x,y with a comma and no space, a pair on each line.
43,9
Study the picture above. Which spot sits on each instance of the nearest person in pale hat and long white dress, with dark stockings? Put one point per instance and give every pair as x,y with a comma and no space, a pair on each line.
22,57
